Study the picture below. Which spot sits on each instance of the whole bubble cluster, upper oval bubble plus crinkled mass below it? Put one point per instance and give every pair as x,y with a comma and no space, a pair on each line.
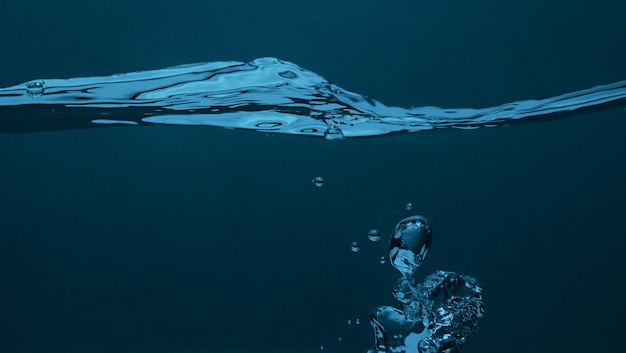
438,315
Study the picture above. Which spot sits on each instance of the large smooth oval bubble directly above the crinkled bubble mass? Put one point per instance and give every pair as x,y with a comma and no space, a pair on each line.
409,244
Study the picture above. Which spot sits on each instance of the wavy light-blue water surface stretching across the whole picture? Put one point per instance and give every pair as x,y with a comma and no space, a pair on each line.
267,94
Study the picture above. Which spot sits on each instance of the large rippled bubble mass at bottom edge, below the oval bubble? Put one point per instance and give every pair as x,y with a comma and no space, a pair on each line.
438,315
